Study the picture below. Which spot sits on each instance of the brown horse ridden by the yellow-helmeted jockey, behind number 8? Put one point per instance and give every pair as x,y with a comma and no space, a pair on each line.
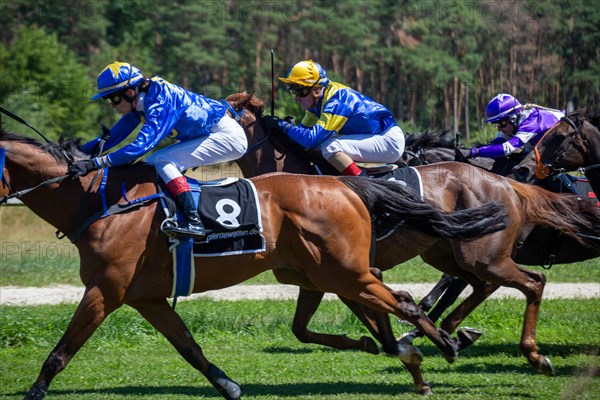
485,263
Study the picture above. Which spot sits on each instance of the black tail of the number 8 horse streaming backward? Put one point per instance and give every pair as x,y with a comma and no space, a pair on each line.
392,201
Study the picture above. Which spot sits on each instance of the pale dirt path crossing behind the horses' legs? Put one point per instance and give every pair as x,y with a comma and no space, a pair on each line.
19,296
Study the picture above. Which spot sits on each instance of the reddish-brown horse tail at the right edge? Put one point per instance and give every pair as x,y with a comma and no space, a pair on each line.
564,212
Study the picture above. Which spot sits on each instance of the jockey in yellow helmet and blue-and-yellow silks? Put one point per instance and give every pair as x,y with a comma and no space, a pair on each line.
346,125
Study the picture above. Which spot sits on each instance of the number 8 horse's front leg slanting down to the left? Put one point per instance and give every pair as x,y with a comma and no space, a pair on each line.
91,311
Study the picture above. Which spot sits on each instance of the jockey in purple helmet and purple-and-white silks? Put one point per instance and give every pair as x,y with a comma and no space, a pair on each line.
519,128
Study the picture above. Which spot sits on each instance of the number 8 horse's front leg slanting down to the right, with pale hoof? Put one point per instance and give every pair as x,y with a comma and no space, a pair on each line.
160,315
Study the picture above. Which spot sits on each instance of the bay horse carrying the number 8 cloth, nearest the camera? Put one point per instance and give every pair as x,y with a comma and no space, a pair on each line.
318,231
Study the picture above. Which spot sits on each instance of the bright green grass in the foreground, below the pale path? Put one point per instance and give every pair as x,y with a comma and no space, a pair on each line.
251,341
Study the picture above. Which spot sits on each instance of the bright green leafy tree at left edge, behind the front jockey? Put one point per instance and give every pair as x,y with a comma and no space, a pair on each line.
43,82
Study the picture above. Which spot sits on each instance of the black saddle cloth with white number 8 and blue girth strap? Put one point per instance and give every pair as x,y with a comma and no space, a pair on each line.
230,212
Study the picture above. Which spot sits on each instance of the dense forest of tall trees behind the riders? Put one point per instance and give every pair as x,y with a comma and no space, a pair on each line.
434,64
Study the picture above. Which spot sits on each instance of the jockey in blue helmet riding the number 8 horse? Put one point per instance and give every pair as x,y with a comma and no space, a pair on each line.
205,133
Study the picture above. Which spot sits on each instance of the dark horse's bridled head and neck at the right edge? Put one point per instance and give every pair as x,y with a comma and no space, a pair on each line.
574,142
